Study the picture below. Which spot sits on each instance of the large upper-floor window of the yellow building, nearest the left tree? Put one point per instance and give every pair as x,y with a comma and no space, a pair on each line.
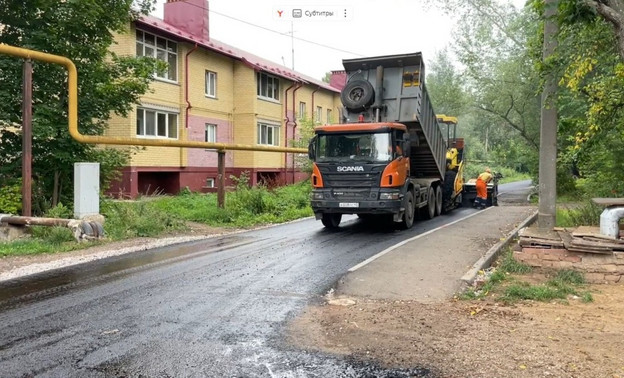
160,48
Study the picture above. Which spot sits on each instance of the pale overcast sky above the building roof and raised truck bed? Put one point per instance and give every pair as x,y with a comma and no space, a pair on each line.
369,28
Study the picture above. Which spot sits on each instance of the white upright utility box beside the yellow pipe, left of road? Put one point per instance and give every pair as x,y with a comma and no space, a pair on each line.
86,189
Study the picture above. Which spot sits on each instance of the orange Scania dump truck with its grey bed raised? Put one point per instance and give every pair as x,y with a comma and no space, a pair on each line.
388,156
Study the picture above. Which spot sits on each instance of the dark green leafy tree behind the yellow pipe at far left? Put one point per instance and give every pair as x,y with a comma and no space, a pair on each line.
83,31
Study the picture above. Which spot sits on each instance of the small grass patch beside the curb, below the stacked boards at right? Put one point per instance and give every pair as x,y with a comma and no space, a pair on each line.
505,284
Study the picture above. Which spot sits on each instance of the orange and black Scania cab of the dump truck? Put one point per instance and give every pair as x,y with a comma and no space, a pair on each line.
358,168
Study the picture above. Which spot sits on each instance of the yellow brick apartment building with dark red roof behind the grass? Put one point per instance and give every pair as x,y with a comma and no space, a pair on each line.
216,93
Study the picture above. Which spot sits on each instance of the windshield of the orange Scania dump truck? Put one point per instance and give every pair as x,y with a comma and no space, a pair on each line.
364,147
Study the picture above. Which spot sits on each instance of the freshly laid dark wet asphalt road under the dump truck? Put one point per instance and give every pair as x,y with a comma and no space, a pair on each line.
212,308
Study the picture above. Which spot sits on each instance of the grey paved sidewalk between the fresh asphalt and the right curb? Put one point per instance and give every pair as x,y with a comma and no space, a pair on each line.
430,268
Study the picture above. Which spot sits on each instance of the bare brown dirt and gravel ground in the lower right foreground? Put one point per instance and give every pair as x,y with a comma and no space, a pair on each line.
458,338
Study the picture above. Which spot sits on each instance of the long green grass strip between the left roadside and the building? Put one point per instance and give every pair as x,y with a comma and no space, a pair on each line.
160,215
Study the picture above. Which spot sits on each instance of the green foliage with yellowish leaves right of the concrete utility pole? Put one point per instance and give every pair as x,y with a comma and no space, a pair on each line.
589,63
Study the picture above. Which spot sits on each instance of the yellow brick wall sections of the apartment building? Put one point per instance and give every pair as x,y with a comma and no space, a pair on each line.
236,101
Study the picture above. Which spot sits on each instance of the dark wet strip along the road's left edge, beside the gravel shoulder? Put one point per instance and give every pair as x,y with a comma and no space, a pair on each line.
54,282
